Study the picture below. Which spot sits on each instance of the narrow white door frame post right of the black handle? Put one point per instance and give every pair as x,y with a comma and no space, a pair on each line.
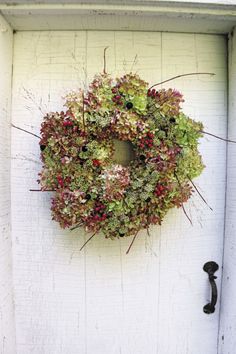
227,338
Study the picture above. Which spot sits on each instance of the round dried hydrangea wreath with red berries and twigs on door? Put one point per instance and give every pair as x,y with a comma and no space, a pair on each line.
77,148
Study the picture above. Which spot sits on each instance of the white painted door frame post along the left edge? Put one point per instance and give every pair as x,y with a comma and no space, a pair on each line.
7,325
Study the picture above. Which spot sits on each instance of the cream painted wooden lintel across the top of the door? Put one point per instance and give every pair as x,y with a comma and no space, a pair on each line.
205,16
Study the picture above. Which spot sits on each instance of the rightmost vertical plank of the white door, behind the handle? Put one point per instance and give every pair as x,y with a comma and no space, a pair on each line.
183,327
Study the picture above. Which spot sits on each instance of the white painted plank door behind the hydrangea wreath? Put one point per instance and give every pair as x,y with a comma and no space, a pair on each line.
100,300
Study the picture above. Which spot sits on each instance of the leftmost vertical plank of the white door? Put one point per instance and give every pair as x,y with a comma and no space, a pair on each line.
49,271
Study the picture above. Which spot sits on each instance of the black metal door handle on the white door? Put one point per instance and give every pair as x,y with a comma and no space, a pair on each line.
211,268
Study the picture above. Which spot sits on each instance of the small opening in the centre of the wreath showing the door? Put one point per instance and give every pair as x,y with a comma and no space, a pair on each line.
123,152
